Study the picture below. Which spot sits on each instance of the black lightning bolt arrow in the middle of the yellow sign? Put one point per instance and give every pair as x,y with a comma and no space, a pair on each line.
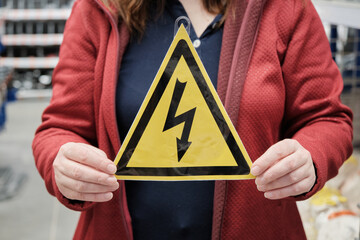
171,121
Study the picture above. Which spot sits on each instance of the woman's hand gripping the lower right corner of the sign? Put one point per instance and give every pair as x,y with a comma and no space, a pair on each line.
285,169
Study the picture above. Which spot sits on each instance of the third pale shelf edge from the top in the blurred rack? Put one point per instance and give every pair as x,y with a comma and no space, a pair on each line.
29,62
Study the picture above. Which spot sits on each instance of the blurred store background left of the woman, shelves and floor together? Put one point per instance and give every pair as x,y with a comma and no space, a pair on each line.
31,32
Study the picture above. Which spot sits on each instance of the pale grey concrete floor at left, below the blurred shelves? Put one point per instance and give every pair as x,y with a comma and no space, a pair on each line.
32,213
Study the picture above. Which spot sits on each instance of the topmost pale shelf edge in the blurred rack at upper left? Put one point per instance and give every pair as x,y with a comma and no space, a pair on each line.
34,14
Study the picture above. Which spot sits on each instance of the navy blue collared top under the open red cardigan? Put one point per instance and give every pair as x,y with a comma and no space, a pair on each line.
164,210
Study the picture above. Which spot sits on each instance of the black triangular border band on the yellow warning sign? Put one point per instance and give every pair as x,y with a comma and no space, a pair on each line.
182,49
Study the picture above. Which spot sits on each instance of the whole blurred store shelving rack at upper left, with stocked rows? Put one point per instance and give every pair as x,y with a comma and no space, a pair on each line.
32,31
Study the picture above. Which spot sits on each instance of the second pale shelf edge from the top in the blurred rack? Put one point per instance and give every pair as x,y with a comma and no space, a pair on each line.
32,39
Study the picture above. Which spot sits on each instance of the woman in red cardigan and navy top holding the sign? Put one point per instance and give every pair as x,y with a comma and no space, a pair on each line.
272,66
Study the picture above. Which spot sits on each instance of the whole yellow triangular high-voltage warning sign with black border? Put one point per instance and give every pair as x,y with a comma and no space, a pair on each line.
182,131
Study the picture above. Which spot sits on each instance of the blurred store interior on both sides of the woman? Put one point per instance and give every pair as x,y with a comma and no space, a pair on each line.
31,32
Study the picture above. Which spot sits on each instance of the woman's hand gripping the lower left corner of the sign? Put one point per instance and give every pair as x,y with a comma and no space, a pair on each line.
83,172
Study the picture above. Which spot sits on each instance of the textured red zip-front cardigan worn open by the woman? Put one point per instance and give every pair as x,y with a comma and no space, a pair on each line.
284,84
